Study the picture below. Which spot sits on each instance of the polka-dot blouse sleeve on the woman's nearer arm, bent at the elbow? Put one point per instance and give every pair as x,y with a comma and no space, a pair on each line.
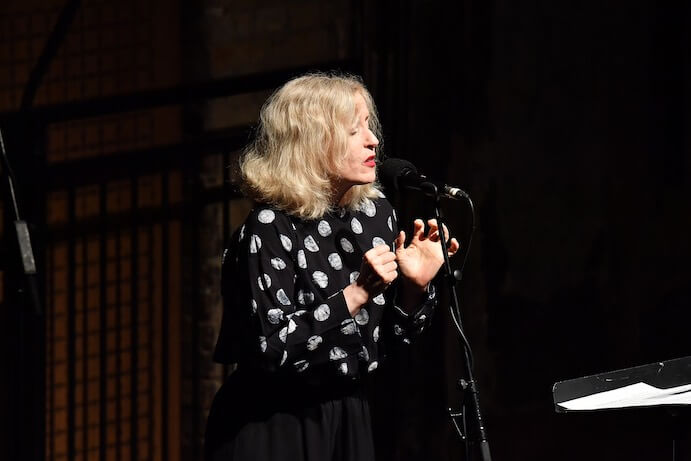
288,334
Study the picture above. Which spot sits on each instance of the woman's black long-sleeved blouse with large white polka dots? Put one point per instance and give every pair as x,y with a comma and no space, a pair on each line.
283,281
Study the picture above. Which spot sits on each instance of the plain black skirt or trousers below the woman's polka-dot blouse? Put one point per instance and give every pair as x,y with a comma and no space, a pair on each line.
270,417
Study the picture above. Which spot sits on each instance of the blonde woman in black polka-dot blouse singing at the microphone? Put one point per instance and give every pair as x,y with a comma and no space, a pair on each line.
307,312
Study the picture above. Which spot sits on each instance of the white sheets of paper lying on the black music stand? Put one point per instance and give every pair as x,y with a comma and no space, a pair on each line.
634,395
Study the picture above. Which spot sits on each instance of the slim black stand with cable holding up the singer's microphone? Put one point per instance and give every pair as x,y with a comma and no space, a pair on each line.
470,401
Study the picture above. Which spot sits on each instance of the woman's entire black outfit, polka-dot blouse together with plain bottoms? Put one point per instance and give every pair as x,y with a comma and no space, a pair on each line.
287,326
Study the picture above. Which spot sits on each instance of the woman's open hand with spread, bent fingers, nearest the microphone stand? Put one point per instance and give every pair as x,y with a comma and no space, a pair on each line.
420,261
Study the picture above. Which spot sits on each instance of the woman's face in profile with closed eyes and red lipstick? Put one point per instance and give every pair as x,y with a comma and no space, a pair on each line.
358,167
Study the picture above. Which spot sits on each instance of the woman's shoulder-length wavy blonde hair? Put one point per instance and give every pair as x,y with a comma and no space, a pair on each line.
301,141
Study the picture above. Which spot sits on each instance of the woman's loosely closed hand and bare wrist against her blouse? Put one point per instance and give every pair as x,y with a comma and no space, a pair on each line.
377,271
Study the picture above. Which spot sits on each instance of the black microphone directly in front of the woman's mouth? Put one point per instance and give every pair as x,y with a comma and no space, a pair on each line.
399,172
